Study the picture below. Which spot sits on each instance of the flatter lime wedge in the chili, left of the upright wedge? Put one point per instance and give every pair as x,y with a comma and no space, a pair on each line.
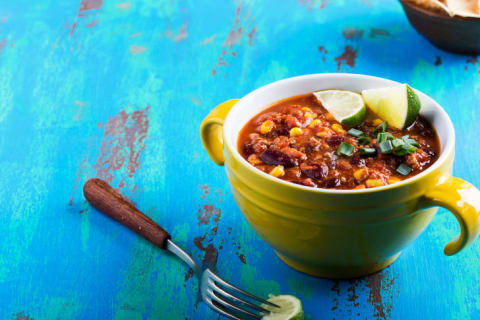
347,107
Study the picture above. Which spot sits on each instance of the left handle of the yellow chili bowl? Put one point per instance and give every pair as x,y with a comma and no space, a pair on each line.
211,131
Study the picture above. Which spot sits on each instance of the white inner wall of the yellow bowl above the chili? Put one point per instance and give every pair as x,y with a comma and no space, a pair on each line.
258,100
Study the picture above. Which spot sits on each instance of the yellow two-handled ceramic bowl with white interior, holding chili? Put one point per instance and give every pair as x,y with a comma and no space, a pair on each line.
339,233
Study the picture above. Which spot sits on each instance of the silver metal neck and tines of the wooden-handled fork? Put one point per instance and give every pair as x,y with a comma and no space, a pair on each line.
221,295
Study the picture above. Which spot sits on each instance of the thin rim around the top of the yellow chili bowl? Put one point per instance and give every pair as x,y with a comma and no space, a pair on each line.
445,152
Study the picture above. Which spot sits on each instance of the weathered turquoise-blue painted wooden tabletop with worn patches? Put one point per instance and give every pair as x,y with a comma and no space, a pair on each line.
117,89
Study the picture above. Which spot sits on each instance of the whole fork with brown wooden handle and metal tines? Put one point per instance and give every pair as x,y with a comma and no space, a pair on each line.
218,294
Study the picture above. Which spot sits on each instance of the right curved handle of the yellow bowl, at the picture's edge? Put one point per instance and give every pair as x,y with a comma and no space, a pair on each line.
463,200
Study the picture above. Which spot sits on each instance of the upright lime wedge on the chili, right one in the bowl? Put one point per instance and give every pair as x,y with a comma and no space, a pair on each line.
398,105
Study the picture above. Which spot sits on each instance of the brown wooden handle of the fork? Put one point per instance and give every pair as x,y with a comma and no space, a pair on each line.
105,199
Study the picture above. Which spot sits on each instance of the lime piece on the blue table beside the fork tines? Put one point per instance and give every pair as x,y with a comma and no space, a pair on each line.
290,308
